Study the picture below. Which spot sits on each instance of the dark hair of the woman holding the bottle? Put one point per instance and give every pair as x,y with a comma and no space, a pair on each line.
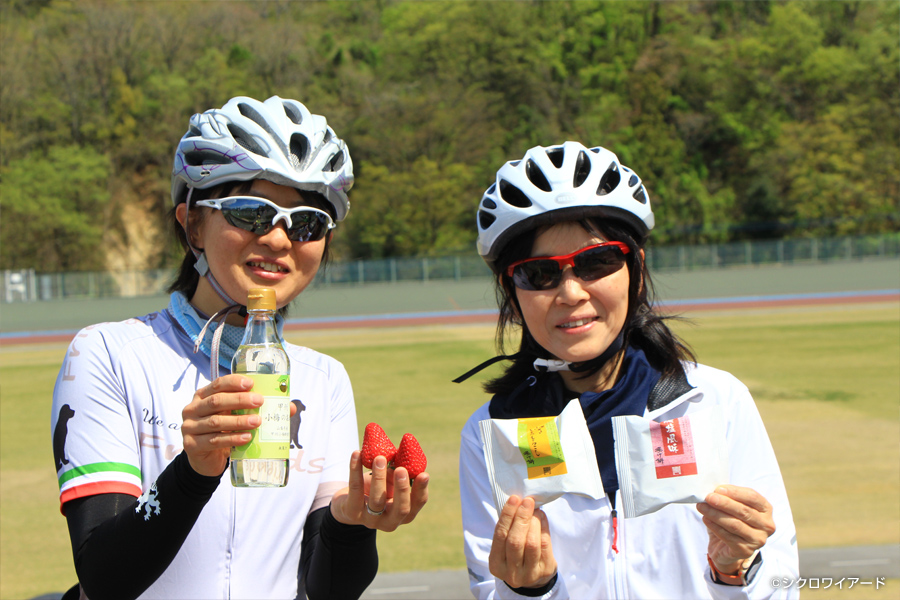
187,277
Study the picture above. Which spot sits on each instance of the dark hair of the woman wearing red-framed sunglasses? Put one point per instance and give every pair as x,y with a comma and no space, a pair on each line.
644,328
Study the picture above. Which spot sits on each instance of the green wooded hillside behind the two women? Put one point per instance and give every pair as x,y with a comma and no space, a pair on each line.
745,120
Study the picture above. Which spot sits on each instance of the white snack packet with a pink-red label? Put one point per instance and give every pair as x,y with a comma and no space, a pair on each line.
674,461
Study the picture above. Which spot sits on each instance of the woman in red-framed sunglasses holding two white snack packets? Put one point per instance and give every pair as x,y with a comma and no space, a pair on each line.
564,229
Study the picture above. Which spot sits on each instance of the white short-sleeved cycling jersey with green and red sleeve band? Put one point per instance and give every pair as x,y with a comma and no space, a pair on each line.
116,425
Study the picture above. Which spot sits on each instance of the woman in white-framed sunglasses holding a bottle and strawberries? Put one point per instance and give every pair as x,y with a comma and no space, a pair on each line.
143,424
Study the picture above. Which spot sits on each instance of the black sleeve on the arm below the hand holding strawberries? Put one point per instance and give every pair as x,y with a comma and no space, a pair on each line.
337,561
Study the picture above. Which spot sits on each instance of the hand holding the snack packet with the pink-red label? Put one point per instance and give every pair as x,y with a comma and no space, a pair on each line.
739,521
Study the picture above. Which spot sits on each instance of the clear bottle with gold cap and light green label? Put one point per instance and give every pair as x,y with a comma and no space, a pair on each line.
264,460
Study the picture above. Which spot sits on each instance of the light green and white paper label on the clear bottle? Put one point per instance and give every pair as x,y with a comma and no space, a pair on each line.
272,439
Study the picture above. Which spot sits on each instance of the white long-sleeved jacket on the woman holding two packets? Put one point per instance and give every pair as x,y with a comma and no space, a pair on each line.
659,555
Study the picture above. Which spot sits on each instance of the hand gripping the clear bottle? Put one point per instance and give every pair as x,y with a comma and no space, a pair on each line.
210,429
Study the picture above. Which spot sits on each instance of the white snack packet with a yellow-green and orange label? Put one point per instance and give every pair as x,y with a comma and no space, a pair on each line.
541,457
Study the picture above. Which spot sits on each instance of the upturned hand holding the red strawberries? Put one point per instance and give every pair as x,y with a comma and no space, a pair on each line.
379,500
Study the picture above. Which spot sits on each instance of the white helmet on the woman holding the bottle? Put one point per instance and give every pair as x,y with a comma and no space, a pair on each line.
278,140
